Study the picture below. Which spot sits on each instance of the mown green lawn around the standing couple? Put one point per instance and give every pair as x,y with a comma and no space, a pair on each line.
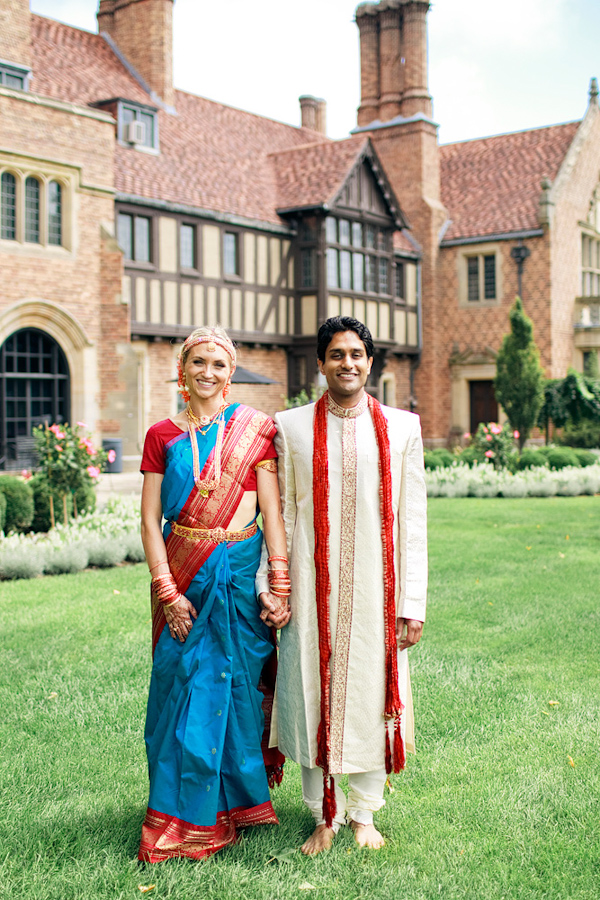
501,800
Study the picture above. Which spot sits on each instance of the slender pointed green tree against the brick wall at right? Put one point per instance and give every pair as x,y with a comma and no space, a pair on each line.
519,382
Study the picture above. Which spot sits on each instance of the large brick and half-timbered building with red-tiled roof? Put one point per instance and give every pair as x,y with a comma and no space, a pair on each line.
132,212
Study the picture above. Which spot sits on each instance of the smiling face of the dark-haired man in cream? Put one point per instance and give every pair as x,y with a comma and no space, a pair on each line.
346,367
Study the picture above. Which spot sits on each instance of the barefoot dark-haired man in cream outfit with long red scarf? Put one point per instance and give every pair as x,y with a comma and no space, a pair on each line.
354,504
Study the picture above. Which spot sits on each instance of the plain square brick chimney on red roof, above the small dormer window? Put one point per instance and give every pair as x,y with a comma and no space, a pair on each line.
143,32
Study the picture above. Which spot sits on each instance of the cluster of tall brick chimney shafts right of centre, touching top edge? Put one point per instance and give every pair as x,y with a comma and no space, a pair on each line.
393,60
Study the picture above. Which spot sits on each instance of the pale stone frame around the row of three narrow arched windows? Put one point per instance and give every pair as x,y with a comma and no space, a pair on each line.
44,176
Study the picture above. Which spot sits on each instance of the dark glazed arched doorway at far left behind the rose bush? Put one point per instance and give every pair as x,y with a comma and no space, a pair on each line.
34,388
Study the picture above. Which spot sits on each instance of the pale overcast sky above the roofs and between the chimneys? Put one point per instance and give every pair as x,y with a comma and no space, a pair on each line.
495,65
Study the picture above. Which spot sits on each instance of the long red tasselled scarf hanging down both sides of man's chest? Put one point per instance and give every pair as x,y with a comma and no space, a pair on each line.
393,705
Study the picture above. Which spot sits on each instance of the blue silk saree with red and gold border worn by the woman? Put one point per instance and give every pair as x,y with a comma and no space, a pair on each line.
205,723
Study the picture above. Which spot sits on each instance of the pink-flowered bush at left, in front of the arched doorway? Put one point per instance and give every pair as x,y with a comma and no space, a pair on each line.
69,462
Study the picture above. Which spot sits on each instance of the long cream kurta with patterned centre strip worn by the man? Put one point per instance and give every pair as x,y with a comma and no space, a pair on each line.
357,597
